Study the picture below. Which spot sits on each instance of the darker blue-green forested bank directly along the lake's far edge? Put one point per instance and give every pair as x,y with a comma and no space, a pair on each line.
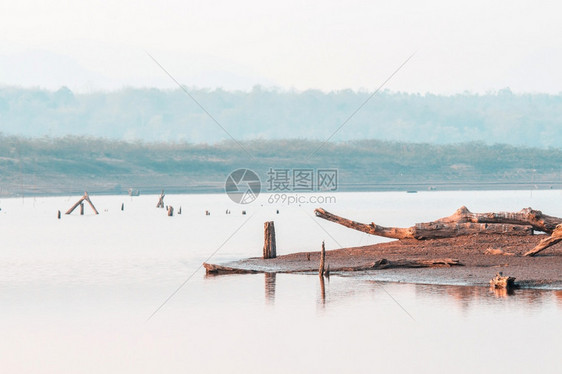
74,164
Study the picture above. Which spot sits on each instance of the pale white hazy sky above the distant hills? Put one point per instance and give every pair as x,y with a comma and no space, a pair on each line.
472,45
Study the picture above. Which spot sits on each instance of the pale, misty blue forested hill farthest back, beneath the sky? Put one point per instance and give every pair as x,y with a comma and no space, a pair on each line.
532,120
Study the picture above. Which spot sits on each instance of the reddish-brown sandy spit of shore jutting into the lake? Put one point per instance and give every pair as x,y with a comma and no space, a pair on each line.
475,253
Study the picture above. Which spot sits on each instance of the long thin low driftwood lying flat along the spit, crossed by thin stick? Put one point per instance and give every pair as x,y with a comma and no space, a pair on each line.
376,265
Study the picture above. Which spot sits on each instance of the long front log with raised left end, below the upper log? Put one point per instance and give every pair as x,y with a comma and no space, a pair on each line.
429,230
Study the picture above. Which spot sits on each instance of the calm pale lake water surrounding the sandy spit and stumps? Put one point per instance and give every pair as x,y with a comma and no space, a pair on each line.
76,294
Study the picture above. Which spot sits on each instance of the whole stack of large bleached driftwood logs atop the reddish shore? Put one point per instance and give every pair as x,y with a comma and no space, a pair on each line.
462,222
